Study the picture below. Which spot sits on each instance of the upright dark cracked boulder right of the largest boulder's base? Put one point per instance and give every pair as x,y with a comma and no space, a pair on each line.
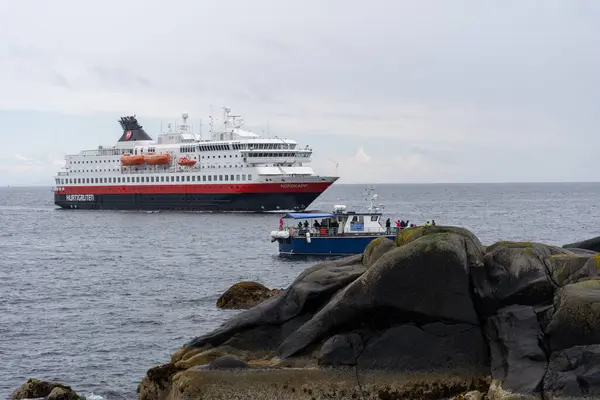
518,361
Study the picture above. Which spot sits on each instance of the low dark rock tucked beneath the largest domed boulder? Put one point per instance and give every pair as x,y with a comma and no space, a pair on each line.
431,347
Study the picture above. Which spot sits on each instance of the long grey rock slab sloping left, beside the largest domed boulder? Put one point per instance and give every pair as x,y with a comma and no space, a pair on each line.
311,289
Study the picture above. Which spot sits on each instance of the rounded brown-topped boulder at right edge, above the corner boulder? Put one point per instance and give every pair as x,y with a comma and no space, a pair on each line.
576,320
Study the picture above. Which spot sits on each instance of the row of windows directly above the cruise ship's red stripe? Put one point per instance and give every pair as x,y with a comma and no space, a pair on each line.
149,179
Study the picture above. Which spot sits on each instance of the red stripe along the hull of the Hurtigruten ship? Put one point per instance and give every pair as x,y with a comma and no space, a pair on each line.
312,187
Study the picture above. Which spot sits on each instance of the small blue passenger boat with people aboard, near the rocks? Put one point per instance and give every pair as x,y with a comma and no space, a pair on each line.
331,233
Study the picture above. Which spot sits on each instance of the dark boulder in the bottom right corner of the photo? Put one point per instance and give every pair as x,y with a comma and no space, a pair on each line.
573,373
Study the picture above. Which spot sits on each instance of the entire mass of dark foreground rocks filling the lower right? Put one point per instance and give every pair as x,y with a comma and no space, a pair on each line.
433,315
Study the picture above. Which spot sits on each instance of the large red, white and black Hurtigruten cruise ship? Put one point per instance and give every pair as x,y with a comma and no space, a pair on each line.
234,170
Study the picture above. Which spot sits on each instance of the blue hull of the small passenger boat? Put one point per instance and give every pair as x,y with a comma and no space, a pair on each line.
327,245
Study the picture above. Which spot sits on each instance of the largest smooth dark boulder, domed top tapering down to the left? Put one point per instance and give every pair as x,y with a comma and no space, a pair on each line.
424,281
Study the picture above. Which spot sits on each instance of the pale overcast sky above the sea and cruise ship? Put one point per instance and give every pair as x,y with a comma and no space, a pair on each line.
384,91
